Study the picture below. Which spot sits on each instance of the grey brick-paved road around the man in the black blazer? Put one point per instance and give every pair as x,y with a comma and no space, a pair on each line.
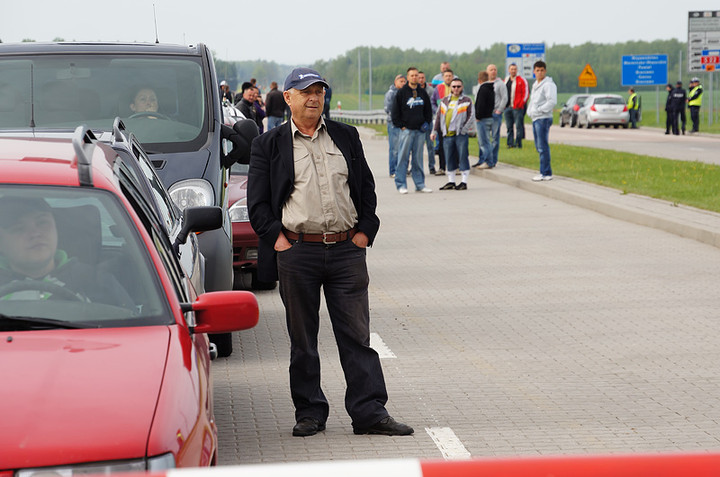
520,323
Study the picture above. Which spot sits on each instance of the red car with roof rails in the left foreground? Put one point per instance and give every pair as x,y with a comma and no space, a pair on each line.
106,358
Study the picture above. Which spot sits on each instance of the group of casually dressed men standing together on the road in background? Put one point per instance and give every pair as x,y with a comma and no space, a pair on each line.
422,114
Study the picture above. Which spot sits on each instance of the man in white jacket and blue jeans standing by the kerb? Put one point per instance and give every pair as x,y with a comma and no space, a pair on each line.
542,102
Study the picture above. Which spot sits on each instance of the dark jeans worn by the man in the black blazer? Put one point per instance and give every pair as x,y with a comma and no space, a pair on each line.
340,271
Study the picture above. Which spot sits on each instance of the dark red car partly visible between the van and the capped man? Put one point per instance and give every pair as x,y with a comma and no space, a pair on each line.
245,240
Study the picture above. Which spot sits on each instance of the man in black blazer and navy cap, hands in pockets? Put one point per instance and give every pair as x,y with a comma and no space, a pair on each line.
311,199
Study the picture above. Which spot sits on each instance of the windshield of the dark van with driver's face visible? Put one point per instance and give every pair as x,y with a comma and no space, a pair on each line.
160,99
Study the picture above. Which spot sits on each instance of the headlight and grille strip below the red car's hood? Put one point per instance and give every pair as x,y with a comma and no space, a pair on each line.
162,462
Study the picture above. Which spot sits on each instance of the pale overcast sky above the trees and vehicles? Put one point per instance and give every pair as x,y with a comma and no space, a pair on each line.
299,33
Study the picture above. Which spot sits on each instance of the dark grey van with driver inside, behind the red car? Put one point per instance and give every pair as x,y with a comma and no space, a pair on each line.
167,96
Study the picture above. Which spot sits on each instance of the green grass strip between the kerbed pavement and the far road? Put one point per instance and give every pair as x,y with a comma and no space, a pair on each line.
681,182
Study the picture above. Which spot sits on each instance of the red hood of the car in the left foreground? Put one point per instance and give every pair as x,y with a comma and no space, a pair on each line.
78,395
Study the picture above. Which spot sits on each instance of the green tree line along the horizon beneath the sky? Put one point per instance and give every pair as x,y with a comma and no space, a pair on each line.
565,63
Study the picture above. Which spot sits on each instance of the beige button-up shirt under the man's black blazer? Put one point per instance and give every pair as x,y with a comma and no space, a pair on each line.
320,201
